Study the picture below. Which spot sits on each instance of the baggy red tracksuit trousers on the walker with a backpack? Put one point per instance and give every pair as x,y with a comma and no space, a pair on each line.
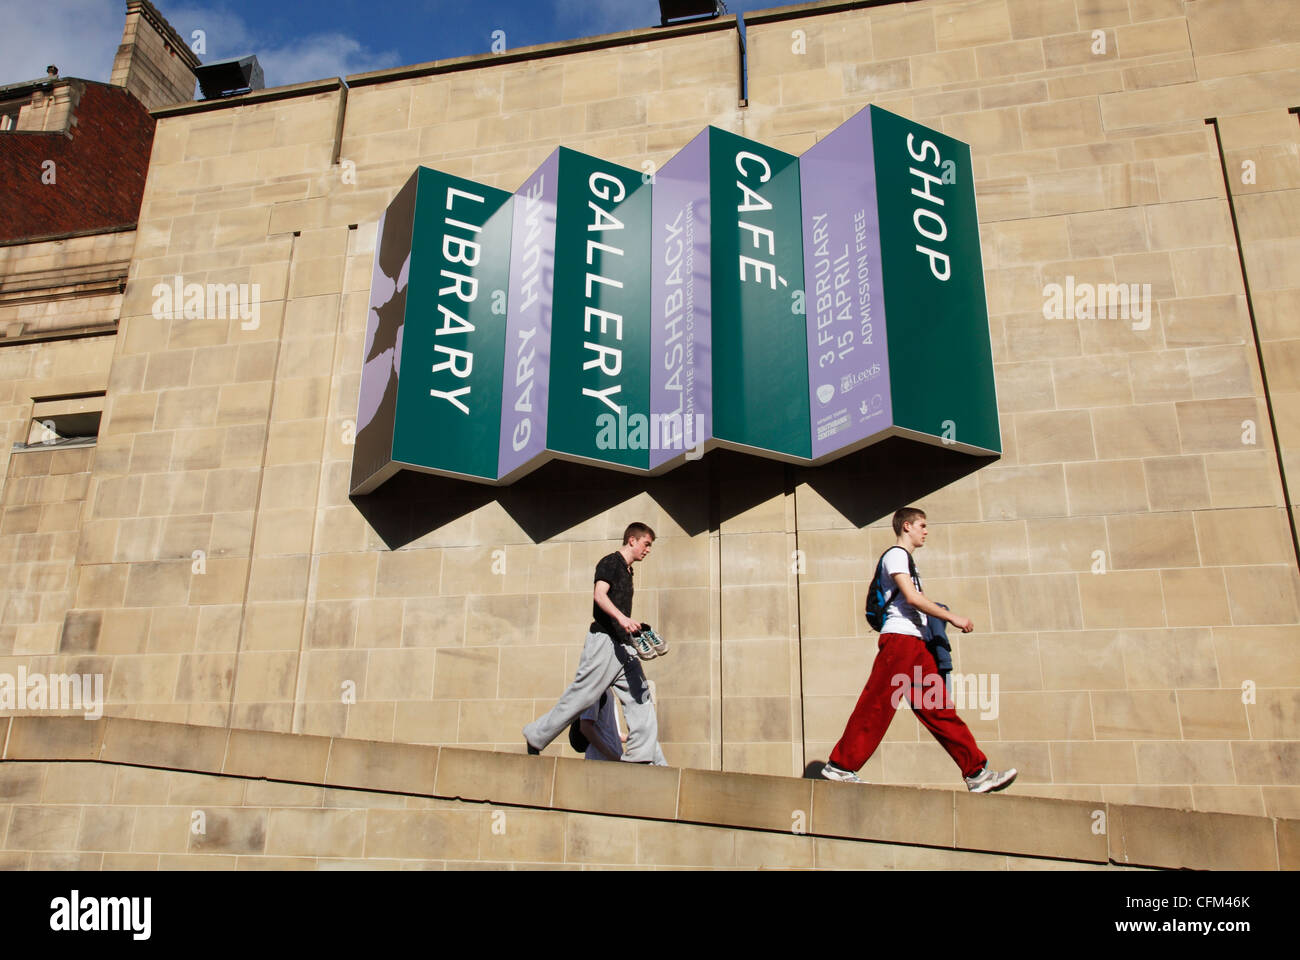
894,674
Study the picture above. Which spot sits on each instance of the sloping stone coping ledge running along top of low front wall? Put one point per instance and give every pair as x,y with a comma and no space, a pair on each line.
1064,831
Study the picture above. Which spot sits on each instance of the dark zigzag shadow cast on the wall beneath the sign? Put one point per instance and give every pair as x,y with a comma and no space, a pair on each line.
699,496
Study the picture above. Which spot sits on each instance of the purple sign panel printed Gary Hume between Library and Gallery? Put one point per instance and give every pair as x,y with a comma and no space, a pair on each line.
528,323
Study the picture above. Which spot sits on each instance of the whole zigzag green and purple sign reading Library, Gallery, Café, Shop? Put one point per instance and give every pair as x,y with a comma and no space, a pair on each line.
791,308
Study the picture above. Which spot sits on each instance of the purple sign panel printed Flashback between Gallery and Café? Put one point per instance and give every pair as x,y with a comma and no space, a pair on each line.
682,309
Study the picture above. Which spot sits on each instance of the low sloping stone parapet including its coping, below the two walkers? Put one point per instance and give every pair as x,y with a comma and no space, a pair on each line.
122,794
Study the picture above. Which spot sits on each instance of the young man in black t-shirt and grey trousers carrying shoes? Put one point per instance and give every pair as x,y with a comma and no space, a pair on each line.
609,660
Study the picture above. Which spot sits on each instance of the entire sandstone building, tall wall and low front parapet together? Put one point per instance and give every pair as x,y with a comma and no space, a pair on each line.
1129,561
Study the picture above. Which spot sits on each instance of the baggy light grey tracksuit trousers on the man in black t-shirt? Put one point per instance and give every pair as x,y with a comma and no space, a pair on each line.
605,665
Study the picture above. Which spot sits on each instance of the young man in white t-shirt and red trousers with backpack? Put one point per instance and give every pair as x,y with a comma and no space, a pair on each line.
902,651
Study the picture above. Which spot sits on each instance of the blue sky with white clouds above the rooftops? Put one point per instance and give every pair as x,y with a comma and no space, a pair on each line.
300,41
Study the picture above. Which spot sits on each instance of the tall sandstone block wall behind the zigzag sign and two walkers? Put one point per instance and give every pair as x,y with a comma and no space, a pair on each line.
434,613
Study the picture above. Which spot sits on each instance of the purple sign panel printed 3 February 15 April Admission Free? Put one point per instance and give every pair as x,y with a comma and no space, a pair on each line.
844,292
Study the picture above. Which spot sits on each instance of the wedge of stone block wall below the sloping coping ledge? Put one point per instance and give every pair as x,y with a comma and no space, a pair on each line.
101,818
